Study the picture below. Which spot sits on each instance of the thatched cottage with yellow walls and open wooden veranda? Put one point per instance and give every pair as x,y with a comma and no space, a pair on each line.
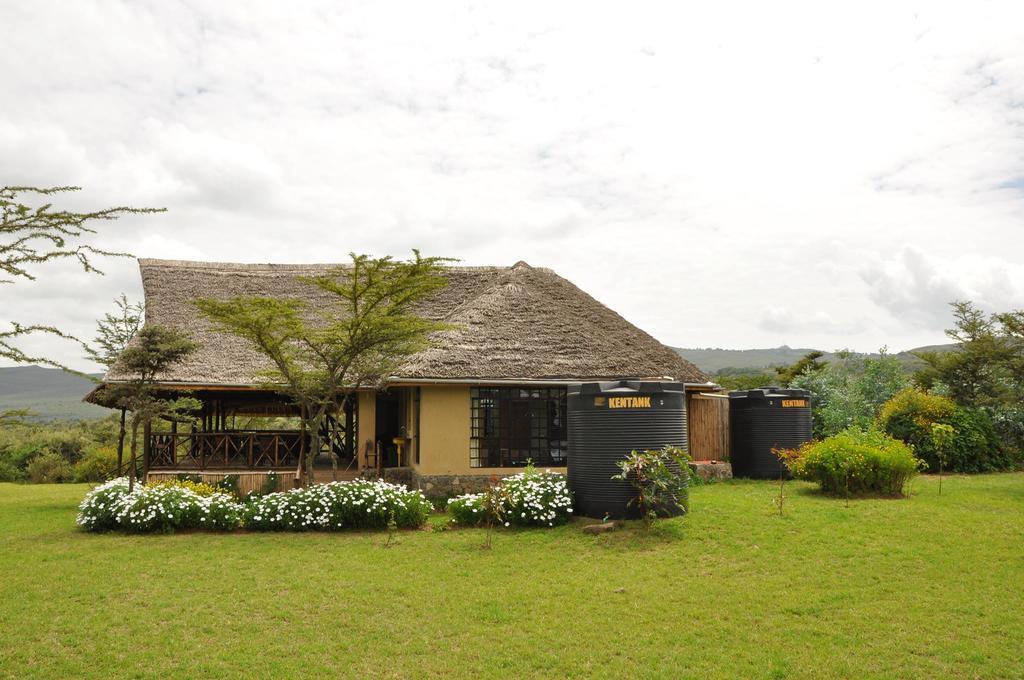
486,399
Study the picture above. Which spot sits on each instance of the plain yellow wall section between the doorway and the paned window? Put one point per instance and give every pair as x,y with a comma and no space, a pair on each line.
445,433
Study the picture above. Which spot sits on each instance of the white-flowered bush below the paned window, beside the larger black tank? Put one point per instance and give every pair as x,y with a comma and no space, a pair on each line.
529,499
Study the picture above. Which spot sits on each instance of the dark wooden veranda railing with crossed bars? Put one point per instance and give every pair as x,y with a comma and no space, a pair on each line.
252,450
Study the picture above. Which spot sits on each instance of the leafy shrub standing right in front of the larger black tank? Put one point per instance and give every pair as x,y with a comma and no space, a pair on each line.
661,479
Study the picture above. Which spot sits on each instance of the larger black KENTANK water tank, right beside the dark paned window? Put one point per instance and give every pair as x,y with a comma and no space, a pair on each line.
608,420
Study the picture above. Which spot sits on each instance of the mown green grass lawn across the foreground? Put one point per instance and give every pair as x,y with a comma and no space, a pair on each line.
924,587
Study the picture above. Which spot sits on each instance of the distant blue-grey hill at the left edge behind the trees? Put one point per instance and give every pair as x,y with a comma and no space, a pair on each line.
50,394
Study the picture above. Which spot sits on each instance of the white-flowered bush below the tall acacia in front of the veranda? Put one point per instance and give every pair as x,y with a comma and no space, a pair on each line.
338,505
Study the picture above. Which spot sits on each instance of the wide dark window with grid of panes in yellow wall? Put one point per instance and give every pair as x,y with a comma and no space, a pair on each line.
514,426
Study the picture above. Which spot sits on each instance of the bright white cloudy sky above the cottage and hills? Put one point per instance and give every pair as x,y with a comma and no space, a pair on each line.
740,177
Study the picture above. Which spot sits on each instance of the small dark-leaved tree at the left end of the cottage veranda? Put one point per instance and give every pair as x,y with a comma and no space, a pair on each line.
157,350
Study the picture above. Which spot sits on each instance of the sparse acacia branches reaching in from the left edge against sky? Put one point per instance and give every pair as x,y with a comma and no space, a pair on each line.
32,236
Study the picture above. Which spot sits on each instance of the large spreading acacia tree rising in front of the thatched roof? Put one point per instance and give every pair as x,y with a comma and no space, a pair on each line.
320,363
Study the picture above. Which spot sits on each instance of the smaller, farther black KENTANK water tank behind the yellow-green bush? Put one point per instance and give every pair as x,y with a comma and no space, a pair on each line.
764,419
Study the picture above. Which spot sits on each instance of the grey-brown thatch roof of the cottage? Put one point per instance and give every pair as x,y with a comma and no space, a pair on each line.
518,323
